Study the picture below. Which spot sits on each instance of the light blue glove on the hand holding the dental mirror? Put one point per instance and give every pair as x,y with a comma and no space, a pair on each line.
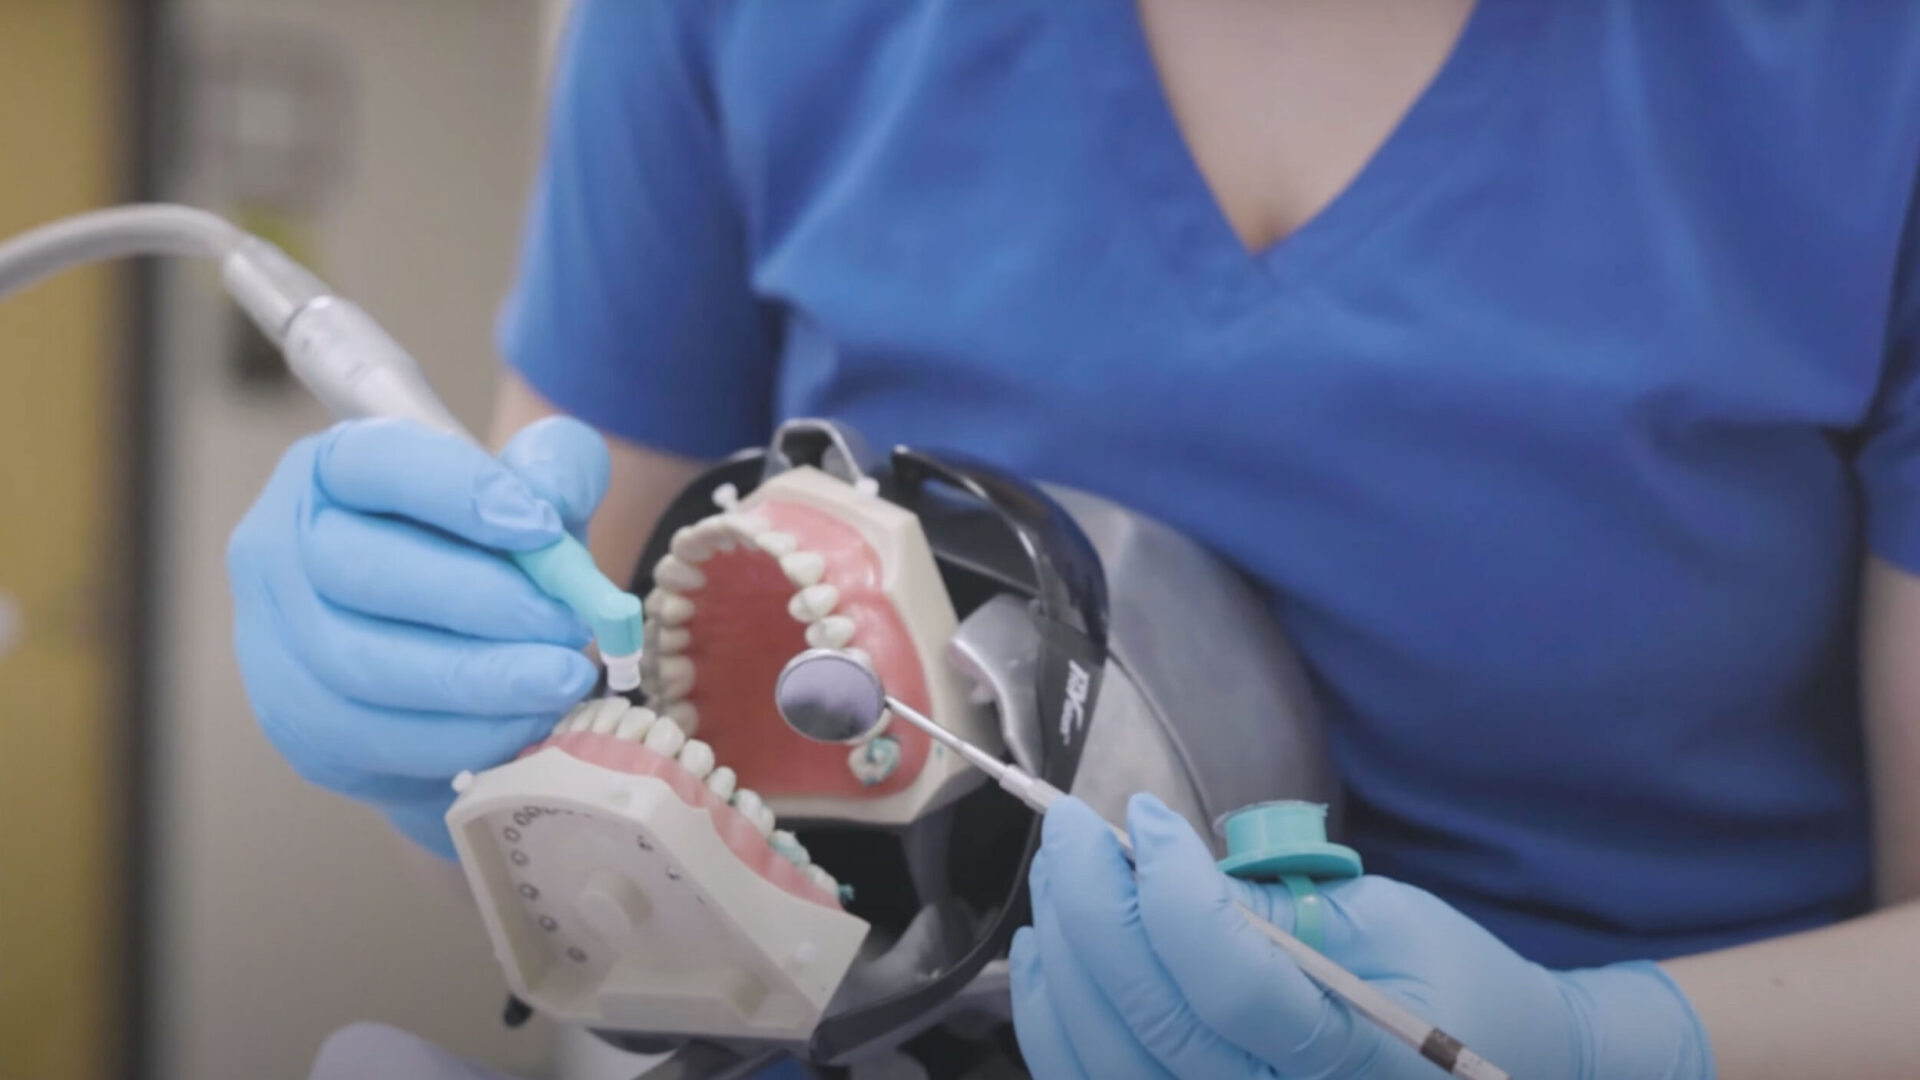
1164,979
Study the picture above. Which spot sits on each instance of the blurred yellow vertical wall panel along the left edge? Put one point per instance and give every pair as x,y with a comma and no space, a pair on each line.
59,134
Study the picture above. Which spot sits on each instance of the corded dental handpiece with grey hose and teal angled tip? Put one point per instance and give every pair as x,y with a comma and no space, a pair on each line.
339,353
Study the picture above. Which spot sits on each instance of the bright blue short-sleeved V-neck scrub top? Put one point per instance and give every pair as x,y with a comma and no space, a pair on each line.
1558,437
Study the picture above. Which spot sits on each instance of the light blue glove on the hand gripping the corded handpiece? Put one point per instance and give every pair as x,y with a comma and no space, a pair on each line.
383,641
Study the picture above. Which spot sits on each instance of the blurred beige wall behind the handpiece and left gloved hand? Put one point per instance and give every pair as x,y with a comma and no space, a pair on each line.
287,912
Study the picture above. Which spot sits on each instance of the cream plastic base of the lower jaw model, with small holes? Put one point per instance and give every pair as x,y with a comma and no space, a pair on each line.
636,900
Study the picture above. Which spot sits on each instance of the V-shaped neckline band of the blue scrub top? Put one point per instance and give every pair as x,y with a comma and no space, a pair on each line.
1201,243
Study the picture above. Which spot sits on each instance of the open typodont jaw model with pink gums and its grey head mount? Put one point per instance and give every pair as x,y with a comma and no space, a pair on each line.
686,870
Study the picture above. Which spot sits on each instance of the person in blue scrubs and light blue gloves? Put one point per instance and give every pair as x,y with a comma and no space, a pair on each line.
1554,366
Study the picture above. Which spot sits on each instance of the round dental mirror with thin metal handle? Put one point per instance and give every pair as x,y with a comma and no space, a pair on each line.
834,697
